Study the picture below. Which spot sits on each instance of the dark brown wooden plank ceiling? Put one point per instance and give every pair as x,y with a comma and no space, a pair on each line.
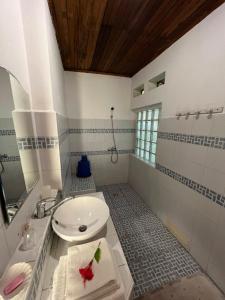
121,36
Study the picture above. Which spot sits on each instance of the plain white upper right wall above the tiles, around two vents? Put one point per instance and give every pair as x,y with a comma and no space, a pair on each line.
195,70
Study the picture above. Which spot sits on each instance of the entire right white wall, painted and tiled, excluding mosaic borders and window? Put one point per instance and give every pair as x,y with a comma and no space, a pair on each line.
195,74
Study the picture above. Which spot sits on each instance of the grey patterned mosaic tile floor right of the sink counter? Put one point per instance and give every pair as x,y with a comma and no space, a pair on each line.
154,255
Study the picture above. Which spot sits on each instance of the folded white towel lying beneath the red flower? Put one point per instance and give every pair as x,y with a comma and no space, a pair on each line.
105,277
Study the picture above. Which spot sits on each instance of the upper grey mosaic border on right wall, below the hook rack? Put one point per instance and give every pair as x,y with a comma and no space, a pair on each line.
201,140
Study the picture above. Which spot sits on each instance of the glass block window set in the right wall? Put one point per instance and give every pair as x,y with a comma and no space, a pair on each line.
146,134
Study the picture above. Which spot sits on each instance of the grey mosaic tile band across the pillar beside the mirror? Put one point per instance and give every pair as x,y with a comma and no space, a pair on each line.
29,143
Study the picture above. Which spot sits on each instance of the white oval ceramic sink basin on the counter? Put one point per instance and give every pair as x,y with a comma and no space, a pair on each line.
80,218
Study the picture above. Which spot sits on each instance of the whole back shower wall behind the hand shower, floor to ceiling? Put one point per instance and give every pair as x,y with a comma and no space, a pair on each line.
89,98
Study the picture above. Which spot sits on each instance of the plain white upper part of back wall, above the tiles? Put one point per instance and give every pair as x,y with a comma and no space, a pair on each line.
90,96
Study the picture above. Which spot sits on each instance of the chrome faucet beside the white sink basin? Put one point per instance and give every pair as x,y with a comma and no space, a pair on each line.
43,212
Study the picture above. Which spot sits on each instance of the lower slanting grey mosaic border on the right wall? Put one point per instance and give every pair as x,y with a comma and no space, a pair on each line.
201,189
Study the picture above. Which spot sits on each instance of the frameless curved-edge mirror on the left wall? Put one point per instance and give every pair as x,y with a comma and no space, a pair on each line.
18,158
